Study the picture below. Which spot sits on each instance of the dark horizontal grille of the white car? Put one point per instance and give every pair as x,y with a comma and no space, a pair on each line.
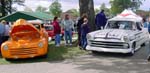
111,45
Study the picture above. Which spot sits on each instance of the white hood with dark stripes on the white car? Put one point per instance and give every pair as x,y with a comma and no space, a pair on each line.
111,33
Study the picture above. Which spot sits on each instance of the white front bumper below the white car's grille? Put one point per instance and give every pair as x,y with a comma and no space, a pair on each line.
113,50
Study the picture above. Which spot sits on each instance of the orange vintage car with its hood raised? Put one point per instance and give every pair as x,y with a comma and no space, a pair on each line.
26,41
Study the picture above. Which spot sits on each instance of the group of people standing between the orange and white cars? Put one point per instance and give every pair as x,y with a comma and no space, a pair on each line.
82,28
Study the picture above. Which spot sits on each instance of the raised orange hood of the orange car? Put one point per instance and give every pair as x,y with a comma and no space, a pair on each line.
23,30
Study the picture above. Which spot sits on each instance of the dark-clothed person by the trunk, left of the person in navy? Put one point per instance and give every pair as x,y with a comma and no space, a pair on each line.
79,23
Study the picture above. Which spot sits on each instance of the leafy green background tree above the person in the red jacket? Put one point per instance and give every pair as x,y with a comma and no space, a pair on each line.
55,8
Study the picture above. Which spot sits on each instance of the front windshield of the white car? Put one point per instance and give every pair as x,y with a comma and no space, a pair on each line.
127,25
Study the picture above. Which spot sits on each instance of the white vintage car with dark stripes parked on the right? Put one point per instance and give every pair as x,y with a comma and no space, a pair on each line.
120,35
